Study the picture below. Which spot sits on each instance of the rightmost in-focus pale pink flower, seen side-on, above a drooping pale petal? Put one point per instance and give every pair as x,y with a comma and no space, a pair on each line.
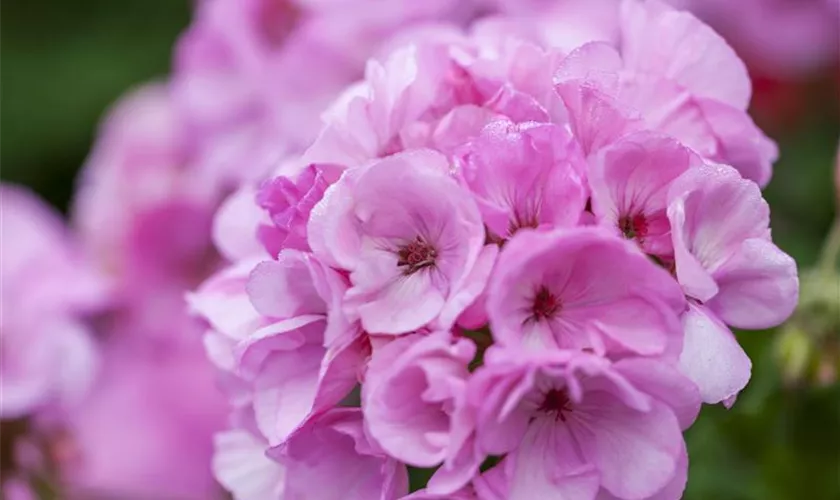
725,258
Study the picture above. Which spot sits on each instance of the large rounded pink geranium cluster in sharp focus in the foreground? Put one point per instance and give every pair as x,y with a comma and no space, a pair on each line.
511,262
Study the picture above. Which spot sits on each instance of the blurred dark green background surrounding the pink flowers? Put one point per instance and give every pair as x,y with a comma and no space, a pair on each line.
62,63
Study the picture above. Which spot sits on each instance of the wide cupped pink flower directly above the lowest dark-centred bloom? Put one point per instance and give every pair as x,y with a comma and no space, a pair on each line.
582,288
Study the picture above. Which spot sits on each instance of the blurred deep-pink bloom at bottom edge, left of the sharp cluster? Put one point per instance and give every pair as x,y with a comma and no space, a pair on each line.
163,407
